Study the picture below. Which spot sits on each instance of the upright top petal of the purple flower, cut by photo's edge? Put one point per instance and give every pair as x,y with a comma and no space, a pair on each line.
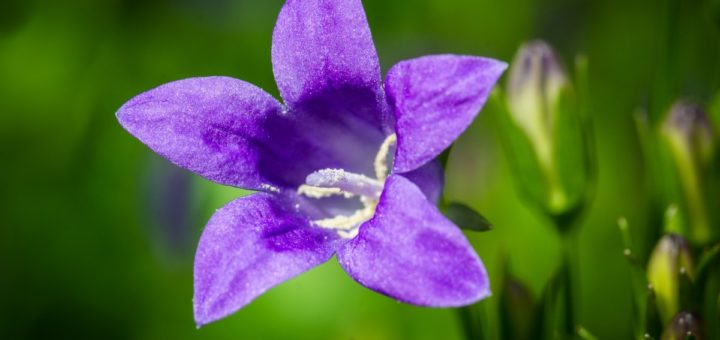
325,62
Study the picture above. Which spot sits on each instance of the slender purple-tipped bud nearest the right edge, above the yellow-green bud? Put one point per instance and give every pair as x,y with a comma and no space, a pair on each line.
688,134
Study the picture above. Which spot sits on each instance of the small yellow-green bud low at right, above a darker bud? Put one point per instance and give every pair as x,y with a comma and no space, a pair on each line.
670,259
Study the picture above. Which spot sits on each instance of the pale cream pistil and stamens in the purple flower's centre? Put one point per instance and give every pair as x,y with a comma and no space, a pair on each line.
338,182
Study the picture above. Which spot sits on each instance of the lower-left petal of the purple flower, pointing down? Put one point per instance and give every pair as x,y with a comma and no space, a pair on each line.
249,246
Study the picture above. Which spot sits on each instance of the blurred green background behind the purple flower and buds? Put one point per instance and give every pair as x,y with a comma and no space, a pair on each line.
97,234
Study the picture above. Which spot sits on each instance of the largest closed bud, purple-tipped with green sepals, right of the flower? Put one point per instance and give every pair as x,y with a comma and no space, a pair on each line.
548,136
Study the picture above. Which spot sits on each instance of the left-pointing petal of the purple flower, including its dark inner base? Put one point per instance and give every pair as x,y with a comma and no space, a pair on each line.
233,133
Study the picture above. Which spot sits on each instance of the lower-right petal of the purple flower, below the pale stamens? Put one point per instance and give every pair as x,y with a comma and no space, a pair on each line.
410,252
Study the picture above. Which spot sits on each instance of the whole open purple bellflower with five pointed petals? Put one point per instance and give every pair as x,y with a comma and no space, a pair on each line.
344,167
